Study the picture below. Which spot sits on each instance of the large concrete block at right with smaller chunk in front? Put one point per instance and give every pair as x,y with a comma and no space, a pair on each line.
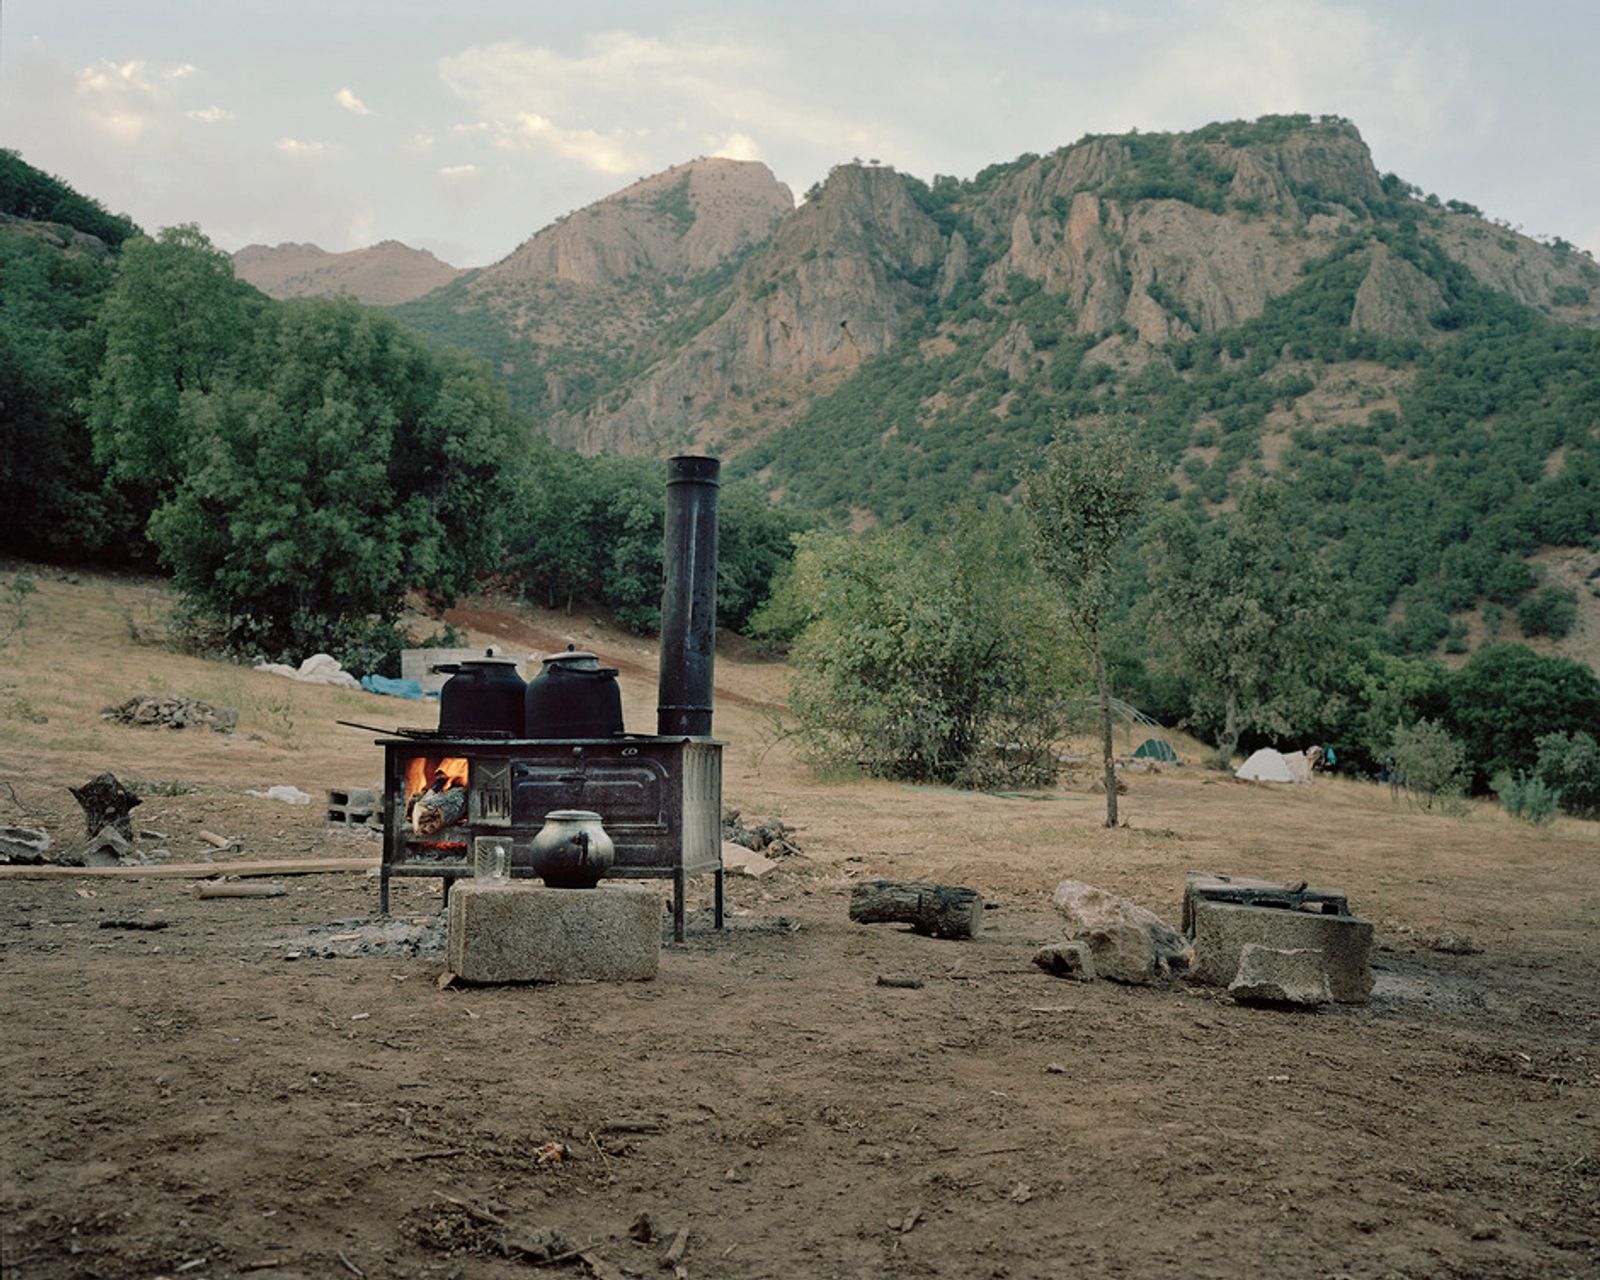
1223,930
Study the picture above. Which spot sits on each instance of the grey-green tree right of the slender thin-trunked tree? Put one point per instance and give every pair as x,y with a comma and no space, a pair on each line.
1254,617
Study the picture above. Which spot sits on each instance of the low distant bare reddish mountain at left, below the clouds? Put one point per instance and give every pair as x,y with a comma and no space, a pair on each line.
383,274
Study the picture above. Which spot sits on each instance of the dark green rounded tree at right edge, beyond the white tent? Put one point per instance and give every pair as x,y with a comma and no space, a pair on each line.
1508,697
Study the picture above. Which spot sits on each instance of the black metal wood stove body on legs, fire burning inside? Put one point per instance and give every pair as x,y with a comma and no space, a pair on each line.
660,799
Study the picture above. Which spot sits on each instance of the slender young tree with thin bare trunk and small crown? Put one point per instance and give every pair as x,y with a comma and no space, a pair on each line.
1084,500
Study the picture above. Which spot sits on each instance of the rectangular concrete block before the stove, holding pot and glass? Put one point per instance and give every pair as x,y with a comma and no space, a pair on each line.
519,932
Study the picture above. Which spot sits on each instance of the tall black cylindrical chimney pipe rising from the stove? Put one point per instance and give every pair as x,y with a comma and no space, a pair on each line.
689,606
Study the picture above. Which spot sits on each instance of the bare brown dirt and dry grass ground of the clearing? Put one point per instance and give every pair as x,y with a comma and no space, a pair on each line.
222,1097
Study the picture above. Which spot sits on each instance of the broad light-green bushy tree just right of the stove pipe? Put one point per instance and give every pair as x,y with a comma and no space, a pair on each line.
932,662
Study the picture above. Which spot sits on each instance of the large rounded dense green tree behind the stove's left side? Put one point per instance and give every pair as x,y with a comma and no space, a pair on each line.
335,470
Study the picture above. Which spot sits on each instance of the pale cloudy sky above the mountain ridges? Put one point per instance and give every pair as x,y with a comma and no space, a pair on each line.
466,126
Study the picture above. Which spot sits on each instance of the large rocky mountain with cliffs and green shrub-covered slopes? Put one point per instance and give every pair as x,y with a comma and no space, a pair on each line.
1255,298
